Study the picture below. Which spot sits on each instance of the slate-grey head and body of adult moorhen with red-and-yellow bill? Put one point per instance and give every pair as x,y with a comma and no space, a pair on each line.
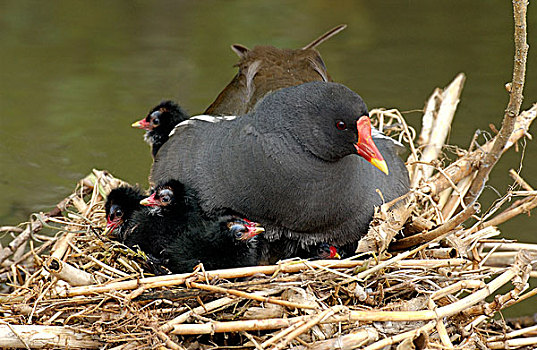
290,164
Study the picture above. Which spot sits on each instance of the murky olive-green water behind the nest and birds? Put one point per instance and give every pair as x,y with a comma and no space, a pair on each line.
75,74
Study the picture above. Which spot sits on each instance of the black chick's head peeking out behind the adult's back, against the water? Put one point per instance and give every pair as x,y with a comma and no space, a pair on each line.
159,122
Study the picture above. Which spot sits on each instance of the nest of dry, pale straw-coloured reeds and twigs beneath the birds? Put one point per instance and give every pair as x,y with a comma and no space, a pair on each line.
420,278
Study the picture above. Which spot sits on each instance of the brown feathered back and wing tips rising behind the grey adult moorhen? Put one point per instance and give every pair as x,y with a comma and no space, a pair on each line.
267,68
